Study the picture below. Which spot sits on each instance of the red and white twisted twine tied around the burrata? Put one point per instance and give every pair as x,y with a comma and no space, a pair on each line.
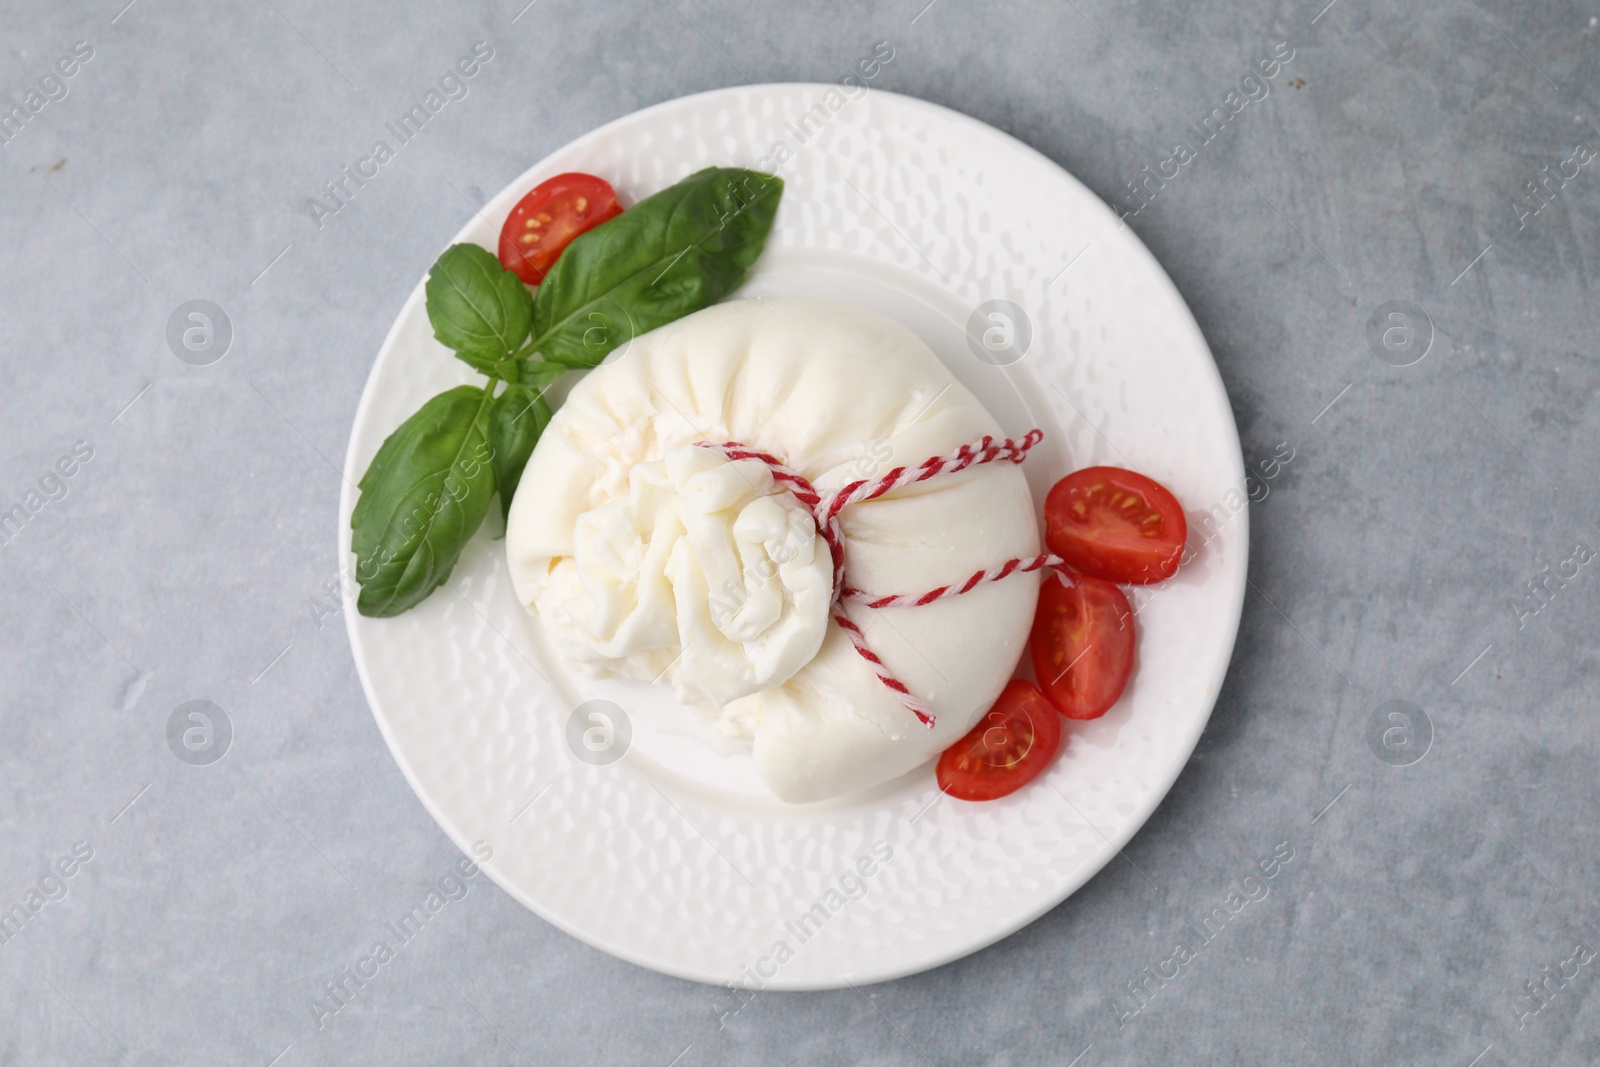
826,510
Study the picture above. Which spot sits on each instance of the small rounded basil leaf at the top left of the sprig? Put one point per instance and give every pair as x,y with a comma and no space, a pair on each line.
478,308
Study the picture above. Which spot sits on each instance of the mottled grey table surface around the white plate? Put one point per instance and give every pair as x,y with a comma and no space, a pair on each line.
1434,913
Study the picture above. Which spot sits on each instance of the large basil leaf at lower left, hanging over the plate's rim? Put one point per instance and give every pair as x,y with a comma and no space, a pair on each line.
423,497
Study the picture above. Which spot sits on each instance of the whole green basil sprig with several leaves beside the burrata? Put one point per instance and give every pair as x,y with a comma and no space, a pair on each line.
431,484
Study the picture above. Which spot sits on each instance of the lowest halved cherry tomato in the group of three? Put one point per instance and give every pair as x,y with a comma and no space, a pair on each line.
1007,749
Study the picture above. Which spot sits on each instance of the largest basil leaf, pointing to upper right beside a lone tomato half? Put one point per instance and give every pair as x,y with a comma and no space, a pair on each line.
670,255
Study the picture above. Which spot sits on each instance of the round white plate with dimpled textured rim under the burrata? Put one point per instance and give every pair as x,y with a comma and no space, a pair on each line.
673,858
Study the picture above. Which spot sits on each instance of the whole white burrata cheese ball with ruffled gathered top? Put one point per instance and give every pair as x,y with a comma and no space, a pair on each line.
649,557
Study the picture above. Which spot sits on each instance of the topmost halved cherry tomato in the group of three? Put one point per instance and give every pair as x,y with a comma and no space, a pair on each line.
1118,526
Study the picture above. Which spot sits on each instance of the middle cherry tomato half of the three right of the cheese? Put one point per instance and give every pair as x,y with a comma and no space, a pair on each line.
1082,644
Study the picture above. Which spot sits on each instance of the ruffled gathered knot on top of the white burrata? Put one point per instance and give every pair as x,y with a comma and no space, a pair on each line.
705,557
